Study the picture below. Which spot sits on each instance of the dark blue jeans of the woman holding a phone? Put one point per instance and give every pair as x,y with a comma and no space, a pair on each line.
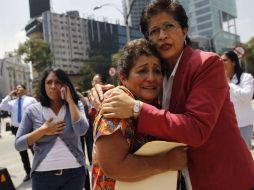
67,179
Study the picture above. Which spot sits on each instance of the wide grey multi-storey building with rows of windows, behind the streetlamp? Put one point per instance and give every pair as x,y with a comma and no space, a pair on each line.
73,39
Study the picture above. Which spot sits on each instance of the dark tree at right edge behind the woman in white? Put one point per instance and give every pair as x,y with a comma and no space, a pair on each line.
250,56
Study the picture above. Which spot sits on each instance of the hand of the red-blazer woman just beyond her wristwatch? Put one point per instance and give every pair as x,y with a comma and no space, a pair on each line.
118,105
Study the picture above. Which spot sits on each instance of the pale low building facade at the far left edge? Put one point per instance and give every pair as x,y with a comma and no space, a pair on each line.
12,73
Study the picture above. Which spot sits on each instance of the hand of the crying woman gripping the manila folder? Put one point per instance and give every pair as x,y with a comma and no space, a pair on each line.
177,158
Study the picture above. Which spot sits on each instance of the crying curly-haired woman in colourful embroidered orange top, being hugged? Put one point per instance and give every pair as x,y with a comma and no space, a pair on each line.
140,75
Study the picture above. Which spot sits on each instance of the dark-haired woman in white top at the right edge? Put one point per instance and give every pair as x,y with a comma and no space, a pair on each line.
241,92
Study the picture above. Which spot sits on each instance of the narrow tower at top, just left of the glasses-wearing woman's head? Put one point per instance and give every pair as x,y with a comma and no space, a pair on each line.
136,10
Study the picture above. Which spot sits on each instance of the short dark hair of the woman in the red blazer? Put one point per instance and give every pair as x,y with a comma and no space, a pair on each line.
172,7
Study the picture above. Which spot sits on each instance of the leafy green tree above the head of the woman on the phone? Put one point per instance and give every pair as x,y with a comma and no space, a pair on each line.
37,52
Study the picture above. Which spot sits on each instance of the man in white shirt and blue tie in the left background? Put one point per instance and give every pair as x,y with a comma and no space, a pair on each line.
16,103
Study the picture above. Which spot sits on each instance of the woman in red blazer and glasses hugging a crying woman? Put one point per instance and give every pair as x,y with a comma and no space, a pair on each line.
197,108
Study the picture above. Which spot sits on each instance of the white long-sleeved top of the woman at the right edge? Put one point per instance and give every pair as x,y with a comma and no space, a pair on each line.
241,96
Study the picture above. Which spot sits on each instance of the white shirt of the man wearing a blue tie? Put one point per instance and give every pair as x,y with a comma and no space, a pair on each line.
11,106
